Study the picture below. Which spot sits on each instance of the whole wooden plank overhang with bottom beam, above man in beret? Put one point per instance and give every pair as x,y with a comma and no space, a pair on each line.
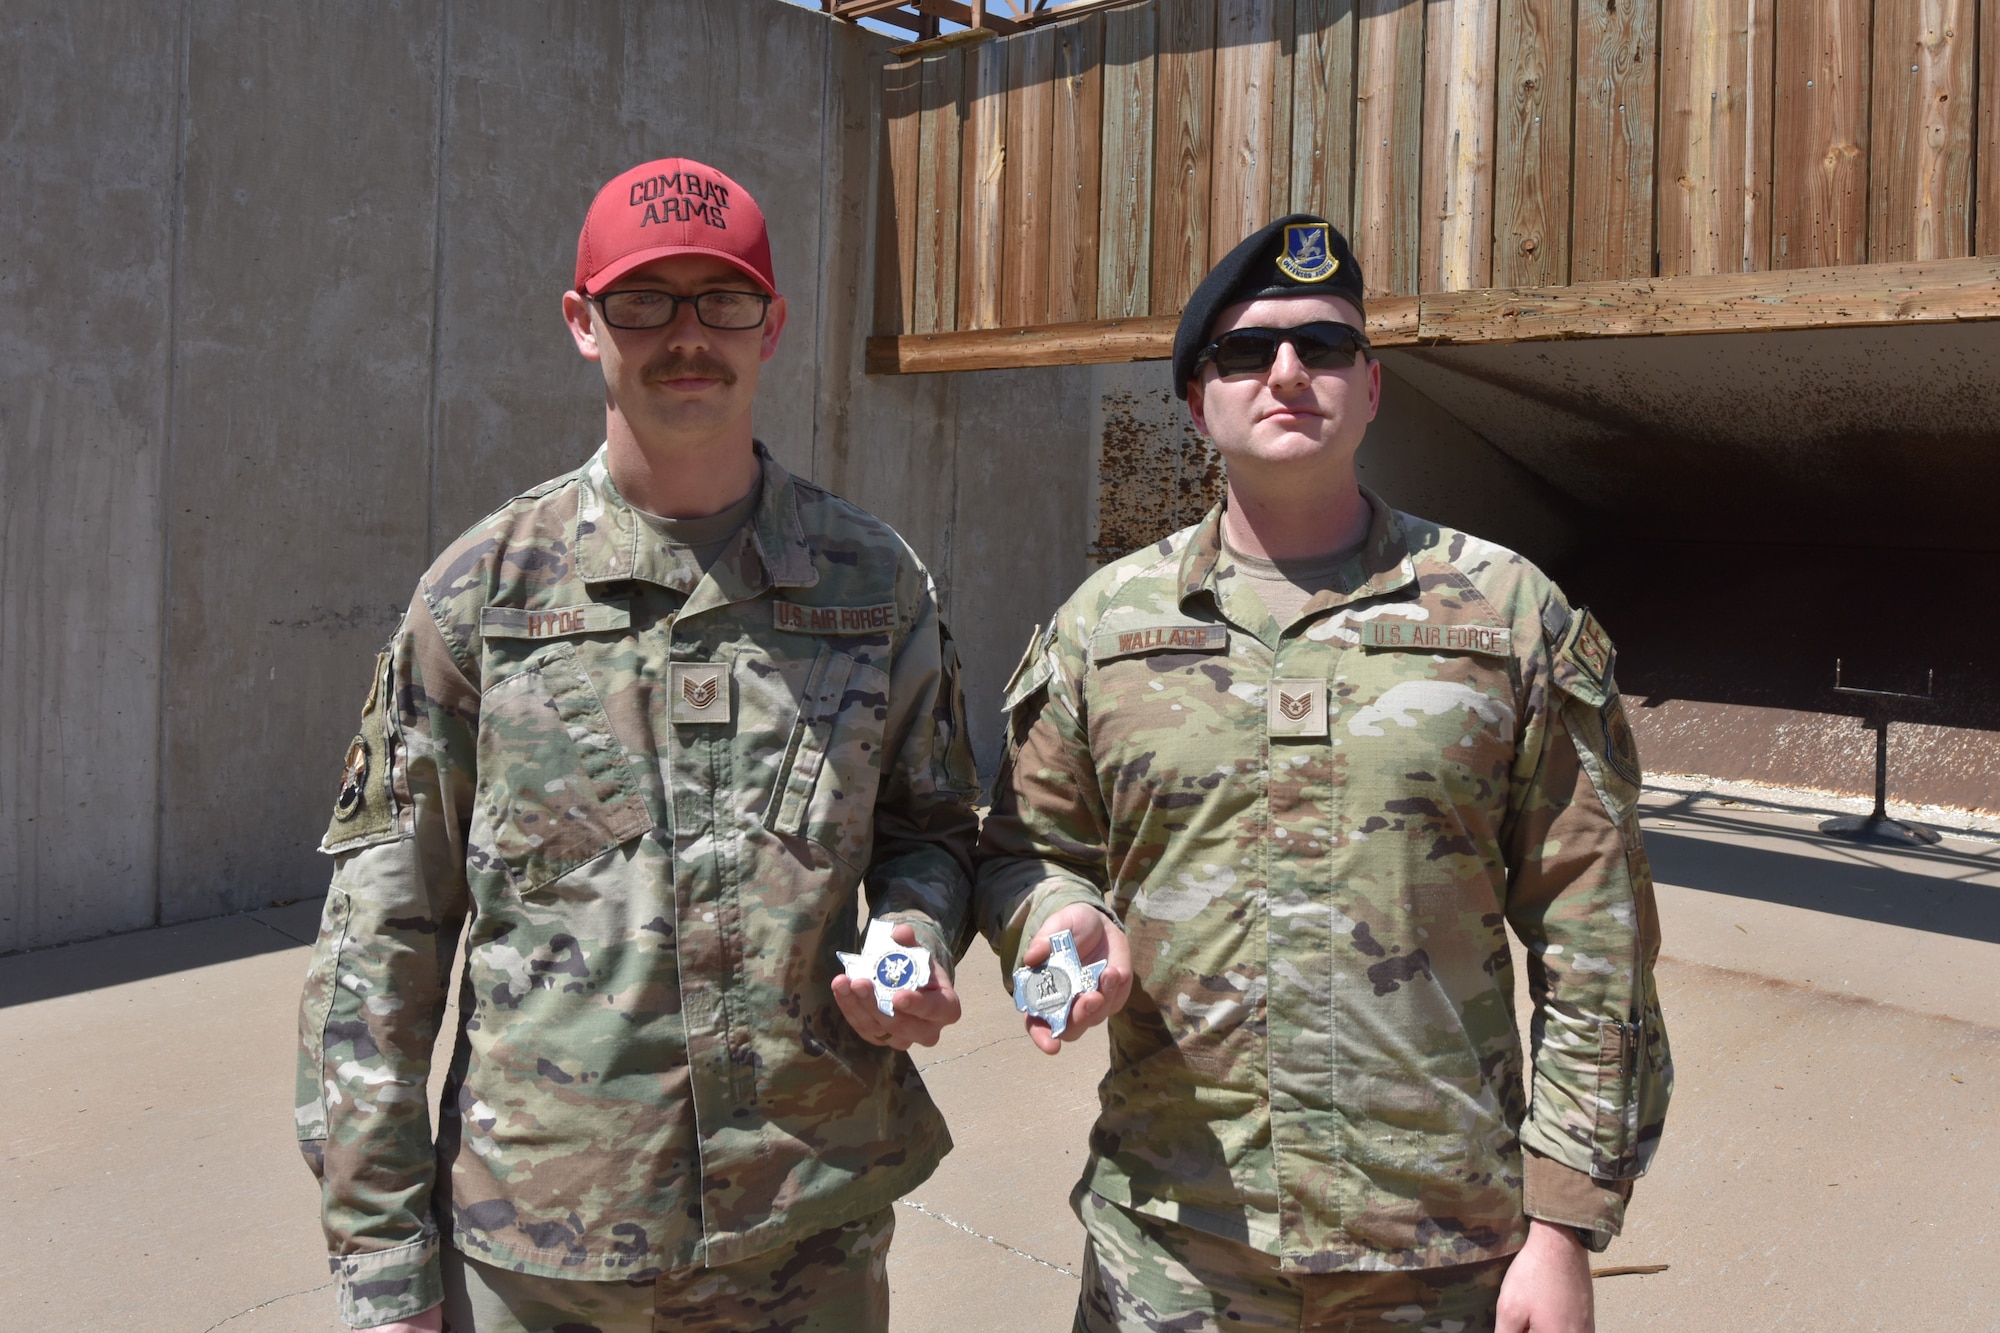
1505,169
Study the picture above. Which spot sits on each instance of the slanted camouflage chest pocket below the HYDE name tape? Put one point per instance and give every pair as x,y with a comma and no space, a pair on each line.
557,788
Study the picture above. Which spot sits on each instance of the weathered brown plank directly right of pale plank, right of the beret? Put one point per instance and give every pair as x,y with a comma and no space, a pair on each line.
1533,145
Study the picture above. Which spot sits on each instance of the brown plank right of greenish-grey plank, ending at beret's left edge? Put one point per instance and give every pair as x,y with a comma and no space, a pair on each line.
1183,151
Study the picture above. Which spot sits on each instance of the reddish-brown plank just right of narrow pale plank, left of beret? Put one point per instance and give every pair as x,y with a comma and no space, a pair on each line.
1031,125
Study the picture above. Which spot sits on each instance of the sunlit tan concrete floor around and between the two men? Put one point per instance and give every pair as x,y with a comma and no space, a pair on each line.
1831,1162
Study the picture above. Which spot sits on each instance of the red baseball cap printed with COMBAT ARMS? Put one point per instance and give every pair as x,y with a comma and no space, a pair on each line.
671,207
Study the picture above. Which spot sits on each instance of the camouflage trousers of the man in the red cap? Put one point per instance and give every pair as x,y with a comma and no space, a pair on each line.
835,1282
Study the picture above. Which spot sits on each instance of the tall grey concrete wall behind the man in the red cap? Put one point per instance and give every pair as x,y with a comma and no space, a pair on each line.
279,315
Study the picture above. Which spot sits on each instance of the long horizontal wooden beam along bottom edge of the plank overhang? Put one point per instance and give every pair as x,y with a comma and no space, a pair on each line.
1773,301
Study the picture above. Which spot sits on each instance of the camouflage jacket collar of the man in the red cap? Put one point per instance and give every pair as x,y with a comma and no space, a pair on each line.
613,543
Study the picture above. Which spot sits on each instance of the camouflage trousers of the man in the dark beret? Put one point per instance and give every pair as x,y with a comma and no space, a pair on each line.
1145,1274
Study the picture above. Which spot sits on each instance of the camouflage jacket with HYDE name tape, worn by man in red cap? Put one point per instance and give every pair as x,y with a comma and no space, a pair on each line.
651,796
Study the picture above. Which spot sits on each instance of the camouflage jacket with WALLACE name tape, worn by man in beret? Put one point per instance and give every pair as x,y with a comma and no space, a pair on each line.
1317,838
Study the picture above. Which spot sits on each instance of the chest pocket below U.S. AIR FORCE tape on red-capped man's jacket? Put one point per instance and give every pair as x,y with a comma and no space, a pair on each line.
833,766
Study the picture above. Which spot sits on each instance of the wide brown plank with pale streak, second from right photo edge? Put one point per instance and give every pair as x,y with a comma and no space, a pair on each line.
1921,131
